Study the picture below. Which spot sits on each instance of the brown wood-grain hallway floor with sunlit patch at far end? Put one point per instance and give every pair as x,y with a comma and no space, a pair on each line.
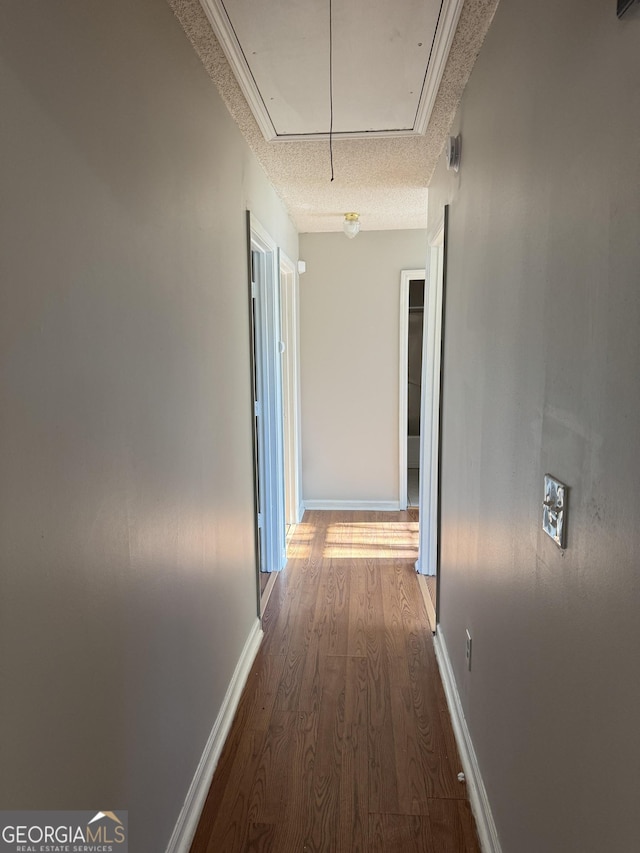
342,741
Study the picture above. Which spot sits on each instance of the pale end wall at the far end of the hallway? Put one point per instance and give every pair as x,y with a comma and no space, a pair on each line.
349,328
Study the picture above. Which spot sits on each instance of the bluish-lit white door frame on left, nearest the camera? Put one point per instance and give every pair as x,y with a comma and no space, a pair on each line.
266,296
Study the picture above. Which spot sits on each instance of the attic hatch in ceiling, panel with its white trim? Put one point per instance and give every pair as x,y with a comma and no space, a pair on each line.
387,59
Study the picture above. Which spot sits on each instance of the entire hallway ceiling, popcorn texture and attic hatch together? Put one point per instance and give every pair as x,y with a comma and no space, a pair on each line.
400,67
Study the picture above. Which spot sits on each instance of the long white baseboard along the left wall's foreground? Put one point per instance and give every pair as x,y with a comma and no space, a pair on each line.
187,822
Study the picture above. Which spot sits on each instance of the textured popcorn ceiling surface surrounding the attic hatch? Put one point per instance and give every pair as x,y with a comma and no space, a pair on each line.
384,179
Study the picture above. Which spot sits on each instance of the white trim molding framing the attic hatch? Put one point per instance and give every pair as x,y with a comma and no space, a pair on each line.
223,28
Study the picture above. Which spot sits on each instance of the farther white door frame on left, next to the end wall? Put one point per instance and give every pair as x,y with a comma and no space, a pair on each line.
289,304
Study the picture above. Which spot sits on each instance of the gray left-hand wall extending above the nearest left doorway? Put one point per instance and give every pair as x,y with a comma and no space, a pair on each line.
127,571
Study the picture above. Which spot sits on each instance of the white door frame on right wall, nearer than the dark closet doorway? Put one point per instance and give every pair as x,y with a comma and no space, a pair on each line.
430,411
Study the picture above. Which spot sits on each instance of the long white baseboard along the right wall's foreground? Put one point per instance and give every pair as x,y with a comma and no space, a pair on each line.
487,833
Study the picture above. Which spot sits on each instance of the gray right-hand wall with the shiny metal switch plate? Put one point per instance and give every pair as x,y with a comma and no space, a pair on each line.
542,374
